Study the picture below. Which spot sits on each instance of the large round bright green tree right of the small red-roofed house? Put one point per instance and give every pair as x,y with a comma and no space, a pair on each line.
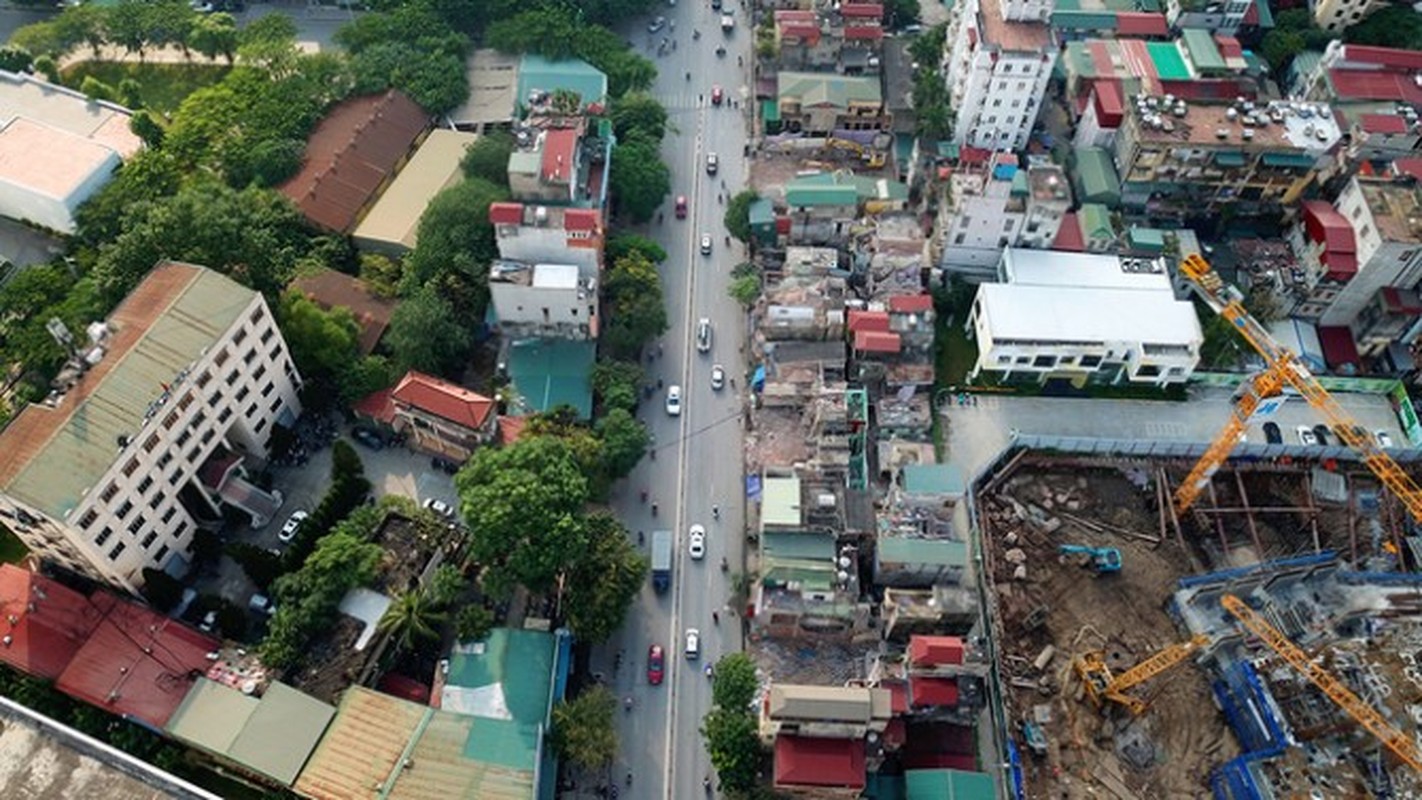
521,505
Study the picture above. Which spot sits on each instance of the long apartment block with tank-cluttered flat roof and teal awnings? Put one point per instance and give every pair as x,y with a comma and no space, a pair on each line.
1180,160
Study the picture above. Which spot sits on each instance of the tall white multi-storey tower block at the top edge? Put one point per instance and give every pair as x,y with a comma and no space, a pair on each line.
999,58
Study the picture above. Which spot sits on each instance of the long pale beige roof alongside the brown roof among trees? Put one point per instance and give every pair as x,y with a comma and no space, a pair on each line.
436,166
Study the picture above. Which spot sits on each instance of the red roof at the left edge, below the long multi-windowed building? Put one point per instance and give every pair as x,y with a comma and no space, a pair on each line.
45,623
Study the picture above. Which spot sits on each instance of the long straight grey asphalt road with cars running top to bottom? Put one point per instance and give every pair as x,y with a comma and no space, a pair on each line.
699,455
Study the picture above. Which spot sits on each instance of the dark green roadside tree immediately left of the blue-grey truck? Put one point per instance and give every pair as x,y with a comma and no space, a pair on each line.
604,579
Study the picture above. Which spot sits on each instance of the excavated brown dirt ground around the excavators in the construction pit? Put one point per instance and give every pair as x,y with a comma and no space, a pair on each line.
1050,600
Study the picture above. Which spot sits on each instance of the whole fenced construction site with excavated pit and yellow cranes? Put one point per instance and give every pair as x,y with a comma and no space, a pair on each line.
1244,625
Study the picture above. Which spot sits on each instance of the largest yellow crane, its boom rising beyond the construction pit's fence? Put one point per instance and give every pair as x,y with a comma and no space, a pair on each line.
1282,369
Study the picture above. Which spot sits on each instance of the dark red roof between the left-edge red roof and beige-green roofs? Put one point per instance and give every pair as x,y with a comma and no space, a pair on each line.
137,664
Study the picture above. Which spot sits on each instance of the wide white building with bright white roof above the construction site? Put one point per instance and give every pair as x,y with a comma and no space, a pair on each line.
1084,318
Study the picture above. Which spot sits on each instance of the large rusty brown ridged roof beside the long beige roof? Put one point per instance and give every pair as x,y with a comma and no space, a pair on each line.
351,156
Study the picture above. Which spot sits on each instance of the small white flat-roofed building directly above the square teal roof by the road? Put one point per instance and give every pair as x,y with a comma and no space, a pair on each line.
544,301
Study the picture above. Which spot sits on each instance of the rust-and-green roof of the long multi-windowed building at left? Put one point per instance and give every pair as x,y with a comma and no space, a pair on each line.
55,455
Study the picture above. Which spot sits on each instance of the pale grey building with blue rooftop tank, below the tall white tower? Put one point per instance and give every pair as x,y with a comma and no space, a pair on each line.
993,204
